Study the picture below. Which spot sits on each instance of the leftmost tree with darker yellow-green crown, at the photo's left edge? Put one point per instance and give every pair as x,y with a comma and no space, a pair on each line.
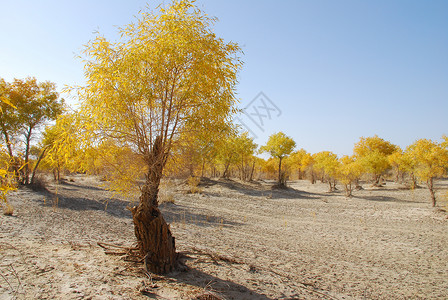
36,103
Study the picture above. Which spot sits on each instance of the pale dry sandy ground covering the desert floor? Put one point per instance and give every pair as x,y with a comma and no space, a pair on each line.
239,241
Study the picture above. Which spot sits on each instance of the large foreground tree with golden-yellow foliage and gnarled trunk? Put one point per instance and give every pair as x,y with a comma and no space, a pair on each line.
169,73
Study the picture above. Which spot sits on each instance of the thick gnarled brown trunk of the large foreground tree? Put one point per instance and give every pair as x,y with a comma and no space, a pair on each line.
155,241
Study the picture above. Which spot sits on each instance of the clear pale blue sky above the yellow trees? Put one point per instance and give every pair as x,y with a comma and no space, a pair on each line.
333,71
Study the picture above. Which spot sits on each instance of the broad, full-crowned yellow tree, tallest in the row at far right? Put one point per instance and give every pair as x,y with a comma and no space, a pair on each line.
372,153
